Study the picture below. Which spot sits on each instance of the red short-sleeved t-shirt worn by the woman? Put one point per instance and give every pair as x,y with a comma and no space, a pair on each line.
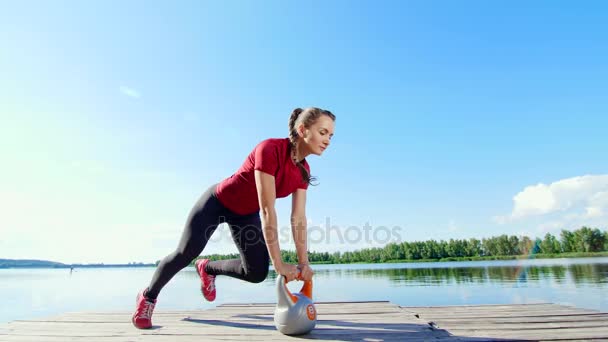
273,156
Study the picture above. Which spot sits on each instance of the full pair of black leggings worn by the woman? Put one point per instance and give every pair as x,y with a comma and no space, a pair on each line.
207,214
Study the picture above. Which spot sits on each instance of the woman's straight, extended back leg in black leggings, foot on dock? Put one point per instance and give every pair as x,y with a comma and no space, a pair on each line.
200,225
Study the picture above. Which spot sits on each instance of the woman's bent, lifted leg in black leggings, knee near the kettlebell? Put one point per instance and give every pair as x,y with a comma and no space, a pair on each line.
249,239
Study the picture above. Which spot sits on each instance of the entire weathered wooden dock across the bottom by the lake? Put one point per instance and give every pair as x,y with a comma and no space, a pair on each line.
337,321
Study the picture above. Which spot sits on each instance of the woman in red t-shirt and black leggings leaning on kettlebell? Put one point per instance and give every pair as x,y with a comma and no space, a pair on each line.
245,201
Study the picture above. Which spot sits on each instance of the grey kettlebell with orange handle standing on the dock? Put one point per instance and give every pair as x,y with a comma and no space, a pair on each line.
295,314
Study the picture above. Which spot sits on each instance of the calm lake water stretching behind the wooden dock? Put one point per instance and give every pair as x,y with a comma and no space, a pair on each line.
34,293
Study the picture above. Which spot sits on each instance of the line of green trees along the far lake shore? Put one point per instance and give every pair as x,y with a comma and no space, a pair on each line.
583,240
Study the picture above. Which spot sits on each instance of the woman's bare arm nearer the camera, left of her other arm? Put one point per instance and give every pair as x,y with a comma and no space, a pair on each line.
266,196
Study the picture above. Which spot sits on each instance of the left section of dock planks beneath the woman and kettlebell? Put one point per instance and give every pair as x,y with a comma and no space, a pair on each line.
344,322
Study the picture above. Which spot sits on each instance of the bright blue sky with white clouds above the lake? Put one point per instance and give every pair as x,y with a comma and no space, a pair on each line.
454,119
